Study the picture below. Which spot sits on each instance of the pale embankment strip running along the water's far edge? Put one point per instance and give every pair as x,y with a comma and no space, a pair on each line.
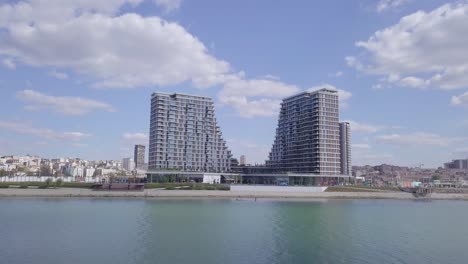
202,194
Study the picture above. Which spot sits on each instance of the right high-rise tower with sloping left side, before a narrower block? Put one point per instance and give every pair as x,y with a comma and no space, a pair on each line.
308,134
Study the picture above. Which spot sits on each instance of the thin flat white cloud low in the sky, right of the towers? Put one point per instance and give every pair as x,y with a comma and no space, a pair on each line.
417,138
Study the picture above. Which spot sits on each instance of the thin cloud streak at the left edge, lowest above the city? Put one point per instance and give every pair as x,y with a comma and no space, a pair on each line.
28,129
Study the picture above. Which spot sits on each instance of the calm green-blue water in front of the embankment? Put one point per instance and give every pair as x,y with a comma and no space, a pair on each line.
45,231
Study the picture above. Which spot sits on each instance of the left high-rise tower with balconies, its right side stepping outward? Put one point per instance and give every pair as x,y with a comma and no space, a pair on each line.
184,135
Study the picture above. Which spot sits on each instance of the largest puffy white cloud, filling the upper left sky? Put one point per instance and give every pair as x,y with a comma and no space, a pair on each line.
118,51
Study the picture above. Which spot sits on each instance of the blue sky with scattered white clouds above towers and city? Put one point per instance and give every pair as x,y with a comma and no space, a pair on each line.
76,76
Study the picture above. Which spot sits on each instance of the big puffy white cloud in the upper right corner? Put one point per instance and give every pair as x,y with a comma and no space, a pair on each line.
422,49
